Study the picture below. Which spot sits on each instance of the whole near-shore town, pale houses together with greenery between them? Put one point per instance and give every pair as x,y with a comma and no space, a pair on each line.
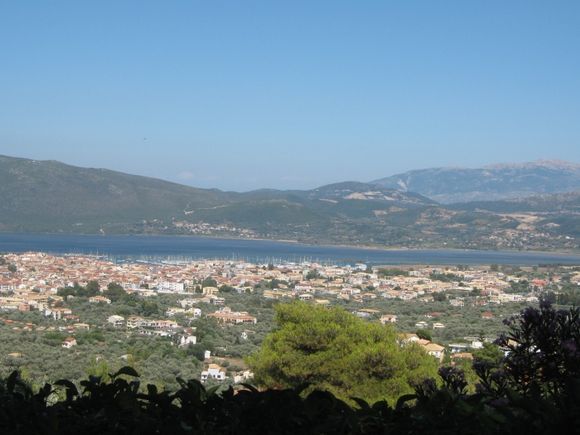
449,311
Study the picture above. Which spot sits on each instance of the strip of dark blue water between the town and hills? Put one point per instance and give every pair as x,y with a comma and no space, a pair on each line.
184,248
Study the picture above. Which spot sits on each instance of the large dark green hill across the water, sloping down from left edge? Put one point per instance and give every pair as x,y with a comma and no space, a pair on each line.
53,196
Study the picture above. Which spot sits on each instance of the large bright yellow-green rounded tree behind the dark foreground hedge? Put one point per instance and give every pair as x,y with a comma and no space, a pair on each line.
333,350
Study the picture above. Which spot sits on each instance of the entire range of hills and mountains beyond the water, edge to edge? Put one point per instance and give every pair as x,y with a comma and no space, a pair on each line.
50,196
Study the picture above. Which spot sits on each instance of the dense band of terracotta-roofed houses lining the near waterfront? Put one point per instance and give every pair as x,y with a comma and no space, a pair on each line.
39,274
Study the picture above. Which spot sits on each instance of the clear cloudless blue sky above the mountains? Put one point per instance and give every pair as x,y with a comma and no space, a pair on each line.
289,94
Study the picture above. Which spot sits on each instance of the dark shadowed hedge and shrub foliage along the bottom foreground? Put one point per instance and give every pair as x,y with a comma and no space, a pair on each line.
535,389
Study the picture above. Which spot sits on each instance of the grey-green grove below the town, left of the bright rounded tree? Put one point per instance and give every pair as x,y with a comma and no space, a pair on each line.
38,354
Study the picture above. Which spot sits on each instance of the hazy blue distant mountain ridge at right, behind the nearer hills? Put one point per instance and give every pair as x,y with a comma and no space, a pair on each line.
490,183
